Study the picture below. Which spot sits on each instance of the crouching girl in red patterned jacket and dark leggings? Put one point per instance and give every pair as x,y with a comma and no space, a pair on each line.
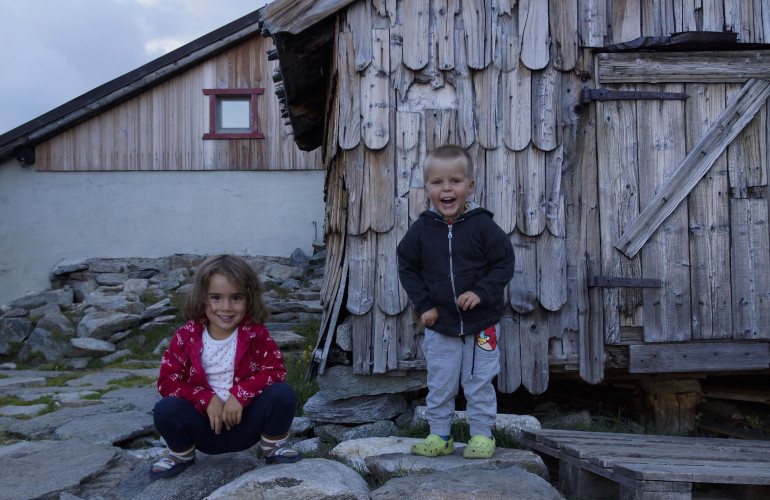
222,376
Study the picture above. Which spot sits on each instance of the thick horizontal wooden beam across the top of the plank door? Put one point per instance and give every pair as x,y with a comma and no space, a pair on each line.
669,67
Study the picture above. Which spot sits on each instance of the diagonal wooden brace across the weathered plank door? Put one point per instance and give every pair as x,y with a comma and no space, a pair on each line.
694,166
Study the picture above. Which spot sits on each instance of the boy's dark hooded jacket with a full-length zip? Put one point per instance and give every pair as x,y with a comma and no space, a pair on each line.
481,260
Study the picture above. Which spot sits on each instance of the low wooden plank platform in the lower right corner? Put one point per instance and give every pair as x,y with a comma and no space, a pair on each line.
600,465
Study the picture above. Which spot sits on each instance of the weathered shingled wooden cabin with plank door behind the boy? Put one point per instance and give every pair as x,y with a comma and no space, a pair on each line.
623,146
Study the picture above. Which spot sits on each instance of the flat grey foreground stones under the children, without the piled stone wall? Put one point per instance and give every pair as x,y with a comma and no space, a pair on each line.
101,448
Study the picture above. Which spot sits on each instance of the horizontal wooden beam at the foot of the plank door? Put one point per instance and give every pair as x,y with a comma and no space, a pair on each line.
698,357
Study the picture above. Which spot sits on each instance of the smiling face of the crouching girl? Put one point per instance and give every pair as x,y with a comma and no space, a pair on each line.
225,307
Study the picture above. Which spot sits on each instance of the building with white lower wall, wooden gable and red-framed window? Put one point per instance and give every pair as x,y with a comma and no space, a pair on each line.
186,154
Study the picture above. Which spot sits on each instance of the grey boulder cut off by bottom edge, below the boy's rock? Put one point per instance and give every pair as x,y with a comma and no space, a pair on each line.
472,481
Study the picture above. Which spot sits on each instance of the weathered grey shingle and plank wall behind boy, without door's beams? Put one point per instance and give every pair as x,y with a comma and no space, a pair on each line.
502,78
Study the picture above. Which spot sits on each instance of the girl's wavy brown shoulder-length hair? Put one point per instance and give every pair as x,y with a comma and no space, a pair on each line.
239,274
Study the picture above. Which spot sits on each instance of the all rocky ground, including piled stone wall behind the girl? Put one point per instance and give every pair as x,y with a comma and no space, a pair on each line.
78,365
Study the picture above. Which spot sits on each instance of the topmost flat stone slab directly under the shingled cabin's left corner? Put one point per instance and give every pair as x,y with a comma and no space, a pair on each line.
339,382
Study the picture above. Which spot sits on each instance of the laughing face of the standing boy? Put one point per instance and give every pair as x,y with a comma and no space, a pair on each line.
448,186
